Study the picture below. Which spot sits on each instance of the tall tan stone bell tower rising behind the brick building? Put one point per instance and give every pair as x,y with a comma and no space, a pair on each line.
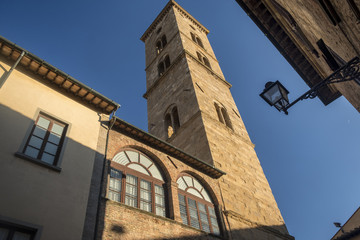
191,107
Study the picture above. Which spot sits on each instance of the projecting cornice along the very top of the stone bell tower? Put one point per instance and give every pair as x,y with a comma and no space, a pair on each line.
162,14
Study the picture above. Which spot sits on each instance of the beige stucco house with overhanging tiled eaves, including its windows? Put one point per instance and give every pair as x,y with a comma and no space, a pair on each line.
49,145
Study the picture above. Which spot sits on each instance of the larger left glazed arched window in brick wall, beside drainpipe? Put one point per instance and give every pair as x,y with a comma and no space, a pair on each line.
136,181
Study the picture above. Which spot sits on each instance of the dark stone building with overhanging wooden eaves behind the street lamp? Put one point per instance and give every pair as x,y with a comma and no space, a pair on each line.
316,37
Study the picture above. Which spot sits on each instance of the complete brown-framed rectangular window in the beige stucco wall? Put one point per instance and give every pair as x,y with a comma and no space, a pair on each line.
46,140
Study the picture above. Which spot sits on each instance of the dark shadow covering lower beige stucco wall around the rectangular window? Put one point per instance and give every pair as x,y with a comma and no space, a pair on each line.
57,198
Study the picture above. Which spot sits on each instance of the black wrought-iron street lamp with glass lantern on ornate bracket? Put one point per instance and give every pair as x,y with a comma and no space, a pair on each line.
275,94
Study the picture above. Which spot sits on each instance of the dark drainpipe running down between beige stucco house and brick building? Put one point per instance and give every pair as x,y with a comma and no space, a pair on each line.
111,124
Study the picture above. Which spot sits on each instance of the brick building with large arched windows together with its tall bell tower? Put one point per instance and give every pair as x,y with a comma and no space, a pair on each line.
195,175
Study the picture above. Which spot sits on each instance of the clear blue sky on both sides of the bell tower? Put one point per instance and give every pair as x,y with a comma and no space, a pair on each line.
310,157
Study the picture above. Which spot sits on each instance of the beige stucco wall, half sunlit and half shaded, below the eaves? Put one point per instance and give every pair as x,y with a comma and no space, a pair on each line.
32,193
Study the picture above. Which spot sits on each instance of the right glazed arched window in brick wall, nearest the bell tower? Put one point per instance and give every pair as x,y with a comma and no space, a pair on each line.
196,207
